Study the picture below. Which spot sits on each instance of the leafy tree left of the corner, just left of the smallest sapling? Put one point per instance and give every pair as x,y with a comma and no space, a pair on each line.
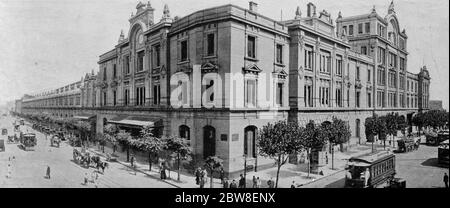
180,150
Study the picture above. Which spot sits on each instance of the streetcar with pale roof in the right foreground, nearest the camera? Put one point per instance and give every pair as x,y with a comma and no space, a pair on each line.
371,170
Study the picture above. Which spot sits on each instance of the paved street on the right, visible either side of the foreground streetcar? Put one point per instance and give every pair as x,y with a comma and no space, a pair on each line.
419,169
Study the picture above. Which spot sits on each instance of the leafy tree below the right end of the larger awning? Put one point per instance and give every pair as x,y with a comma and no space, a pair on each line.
149,143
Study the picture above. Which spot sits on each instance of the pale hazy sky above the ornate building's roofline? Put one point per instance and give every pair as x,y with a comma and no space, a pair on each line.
46,44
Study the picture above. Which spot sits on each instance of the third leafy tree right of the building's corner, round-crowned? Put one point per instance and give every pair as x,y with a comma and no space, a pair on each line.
337,132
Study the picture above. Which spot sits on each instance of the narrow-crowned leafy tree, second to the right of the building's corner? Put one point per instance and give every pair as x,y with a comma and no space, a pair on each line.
310,140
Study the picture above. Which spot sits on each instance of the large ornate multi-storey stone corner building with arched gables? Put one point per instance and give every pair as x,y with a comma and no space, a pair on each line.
216,76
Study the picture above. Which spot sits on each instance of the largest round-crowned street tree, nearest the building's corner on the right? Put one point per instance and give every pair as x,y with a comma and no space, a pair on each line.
278,141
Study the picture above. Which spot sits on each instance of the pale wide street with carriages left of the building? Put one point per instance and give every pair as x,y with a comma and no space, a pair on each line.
29,168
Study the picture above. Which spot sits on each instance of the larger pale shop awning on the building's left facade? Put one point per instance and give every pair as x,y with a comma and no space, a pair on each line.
136,121
